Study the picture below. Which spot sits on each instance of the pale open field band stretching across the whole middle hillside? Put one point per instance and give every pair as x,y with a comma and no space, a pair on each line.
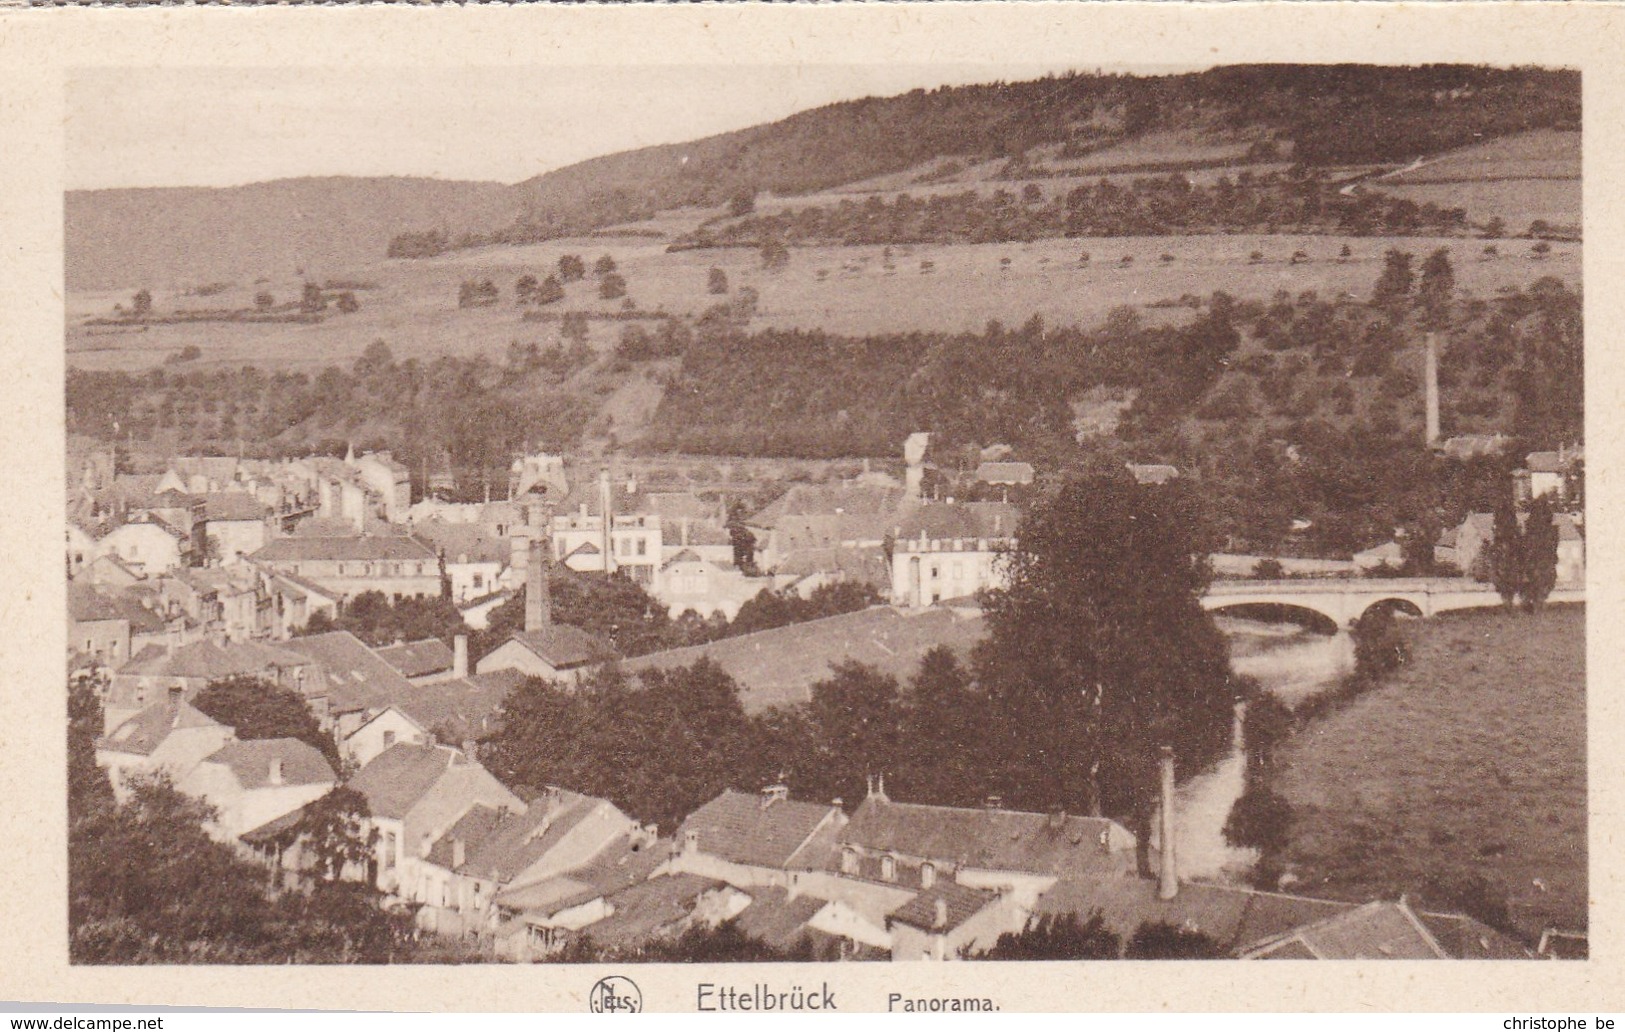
844,290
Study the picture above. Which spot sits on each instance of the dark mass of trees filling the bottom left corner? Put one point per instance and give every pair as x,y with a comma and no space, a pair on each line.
147,883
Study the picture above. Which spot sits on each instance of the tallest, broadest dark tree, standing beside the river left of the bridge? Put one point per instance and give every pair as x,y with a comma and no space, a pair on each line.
1099,651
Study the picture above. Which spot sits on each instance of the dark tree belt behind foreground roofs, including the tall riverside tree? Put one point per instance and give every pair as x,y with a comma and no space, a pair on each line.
1098,654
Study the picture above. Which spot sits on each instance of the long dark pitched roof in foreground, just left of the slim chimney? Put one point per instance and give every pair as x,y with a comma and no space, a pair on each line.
994,839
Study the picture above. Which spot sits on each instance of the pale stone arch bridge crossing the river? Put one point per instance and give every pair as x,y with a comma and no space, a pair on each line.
1346,601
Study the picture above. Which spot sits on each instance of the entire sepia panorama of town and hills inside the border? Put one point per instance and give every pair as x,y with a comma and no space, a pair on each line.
825,514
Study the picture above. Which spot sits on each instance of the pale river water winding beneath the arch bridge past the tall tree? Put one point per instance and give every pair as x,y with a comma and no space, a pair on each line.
1288,661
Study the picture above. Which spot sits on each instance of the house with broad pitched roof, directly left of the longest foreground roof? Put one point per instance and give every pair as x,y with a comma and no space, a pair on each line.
758,839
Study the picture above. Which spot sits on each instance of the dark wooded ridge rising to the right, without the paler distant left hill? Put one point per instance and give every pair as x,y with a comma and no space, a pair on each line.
1333,115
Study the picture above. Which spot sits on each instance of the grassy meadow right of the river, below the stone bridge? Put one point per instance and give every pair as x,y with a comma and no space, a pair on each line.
1470,763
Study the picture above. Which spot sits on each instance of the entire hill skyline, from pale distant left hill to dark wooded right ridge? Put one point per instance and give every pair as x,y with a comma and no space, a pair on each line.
1327,115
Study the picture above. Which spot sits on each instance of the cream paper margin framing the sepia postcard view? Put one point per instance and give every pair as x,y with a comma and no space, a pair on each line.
38,46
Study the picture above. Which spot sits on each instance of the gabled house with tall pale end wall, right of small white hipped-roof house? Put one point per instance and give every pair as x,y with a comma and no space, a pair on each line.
415,794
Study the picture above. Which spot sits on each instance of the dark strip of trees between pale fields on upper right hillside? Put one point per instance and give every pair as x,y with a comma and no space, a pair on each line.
1270,202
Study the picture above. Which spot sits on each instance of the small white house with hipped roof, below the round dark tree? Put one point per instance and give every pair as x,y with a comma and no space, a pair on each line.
254,783
